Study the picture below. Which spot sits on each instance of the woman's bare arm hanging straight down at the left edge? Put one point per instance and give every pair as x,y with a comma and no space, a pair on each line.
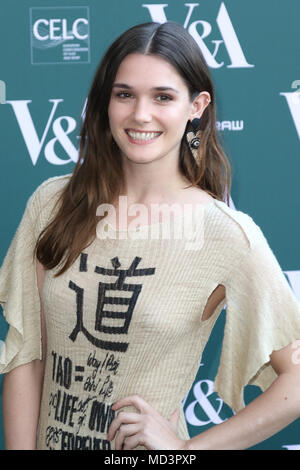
22,391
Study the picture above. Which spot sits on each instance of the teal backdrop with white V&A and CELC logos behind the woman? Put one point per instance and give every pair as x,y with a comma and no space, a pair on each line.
49,53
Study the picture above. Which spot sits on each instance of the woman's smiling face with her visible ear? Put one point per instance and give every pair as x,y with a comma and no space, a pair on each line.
149,109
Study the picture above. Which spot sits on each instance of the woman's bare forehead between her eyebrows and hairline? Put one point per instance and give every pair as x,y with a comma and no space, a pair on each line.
139,70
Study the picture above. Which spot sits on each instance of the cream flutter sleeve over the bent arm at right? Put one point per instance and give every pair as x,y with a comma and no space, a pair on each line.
262,316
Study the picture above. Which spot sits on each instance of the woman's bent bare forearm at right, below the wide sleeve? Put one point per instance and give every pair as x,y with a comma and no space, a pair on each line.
268,414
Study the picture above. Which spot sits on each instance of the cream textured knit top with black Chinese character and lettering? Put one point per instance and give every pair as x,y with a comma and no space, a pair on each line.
126,318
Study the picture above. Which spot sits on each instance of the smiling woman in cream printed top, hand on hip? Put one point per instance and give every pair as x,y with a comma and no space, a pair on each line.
108,322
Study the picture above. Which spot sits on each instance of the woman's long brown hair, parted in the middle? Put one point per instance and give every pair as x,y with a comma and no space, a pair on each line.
98,177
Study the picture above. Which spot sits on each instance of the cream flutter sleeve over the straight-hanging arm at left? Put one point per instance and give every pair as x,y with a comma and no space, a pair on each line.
19,297
